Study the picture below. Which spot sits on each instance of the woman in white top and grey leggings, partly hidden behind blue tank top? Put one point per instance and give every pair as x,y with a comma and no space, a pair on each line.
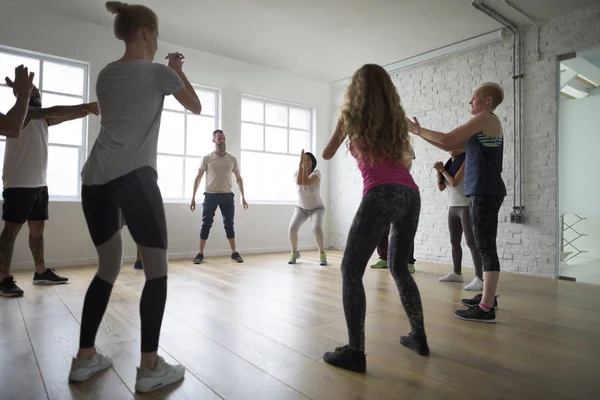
451,176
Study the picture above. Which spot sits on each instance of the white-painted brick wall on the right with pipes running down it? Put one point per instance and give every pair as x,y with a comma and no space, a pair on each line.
438,94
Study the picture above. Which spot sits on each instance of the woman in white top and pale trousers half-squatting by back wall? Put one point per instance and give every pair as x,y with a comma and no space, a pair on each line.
310,205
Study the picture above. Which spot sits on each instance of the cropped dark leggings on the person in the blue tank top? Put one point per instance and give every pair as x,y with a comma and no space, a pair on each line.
484,217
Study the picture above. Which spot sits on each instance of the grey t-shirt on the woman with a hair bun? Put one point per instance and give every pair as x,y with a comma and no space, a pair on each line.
131,96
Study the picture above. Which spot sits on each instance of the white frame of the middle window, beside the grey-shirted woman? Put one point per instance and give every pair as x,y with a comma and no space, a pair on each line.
184,156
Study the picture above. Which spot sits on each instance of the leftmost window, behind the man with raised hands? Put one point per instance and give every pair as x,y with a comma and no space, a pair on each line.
61,83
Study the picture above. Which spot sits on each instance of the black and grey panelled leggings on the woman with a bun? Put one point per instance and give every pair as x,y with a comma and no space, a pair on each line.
137,197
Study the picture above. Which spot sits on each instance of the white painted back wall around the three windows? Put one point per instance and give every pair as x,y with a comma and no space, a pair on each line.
261,228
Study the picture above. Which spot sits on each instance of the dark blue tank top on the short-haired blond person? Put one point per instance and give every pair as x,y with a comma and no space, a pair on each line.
483,166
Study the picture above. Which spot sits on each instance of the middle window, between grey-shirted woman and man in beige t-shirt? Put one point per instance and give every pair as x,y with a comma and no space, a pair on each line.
183,140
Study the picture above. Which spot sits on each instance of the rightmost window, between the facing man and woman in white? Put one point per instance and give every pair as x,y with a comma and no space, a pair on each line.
273,135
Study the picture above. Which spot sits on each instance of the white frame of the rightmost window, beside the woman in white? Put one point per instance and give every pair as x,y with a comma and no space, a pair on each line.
311,136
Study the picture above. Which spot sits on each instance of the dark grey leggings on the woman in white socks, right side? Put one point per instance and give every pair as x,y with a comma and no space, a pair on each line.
459,222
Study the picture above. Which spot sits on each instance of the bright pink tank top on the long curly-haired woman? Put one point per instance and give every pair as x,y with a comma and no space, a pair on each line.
383,172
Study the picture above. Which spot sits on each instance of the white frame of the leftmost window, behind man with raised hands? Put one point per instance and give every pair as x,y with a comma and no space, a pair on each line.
83,148
